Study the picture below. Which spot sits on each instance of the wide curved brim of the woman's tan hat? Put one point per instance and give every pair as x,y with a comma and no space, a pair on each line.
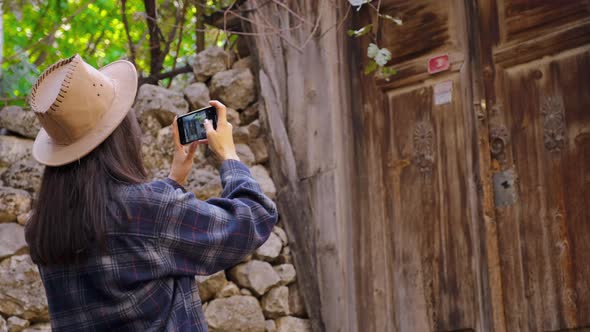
124,76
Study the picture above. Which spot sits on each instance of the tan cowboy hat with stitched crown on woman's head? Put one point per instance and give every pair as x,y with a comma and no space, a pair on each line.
79,107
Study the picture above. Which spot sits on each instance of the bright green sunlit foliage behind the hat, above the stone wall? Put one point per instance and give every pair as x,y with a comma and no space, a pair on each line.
38,33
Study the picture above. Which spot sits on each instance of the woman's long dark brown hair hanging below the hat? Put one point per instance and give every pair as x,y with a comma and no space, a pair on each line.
70,214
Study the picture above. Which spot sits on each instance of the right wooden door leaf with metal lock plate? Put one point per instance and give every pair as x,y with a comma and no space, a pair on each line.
536,69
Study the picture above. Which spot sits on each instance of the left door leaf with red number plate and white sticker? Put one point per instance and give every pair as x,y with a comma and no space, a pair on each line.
417,244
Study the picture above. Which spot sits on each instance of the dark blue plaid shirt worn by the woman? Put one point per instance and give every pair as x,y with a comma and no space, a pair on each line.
159,237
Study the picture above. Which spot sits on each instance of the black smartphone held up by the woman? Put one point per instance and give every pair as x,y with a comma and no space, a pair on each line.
191,126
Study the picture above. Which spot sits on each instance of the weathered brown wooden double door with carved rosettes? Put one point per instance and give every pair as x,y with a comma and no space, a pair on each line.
474,182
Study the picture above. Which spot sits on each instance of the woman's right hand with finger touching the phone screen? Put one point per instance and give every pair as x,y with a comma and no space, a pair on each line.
221,140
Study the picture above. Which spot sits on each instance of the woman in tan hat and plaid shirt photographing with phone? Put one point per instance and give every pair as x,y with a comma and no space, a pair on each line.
115,252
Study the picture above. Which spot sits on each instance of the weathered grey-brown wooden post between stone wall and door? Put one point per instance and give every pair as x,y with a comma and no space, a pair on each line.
305,91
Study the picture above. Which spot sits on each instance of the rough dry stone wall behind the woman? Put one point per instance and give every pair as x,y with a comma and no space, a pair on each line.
259,294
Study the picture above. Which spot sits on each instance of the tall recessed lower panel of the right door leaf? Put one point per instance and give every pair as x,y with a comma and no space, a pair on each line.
544,237
